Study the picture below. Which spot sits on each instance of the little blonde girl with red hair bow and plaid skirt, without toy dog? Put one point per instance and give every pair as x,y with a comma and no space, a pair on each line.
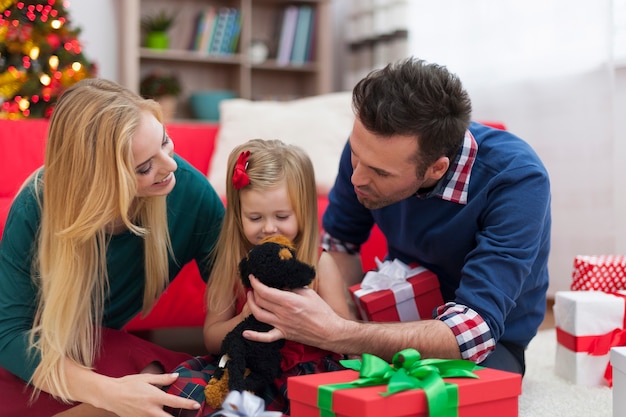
270,190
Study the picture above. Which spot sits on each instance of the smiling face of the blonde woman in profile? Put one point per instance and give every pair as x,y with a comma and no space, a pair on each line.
153,151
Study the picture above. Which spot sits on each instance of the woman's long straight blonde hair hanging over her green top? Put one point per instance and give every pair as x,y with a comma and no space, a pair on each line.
88,183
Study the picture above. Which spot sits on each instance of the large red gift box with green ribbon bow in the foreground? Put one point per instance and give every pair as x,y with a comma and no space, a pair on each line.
414,387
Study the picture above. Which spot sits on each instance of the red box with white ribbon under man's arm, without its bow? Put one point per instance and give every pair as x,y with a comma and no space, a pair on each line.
413,299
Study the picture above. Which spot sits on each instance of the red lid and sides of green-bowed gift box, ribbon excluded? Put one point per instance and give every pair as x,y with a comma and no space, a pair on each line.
491,385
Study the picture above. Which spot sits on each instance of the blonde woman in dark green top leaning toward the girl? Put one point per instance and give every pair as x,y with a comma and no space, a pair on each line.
93,238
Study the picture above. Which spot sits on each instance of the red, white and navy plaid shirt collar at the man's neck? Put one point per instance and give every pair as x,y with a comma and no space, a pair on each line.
454,185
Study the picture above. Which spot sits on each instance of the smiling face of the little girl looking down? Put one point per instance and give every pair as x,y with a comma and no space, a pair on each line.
267,213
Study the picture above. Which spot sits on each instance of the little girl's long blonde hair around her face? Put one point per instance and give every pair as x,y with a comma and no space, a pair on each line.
271,164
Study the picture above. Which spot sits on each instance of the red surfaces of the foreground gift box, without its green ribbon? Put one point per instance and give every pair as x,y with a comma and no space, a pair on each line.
494,393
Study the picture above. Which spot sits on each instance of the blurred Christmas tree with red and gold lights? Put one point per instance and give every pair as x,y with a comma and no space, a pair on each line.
40,56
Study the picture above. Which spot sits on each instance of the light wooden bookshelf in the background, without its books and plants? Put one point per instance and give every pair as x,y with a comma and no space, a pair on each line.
261,23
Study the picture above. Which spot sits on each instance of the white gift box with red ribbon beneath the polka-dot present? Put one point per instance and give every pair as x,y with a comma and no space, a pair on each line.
588,324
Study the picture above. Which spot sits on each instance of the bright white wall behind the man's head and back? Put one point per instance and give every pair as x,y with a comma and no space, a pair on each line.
531,65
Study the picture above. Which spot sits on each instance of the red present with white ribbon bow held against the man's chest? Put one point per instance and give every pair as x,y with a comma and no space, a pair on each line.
397,292
